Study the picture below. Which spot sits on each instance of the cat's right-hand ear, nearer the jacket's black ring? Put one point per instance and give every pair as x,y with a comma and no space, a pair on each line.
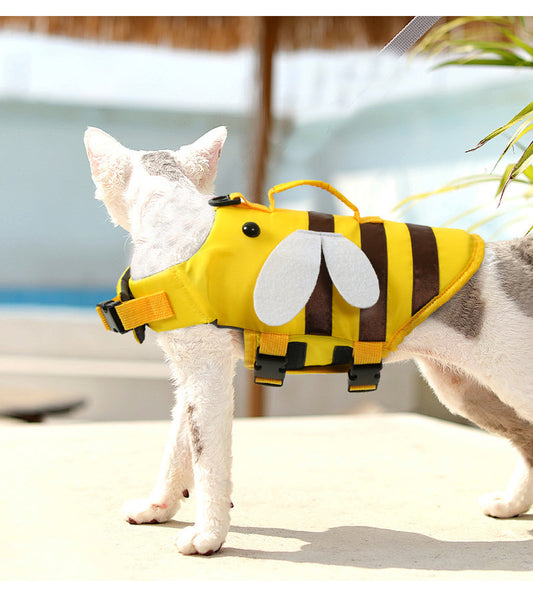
199,160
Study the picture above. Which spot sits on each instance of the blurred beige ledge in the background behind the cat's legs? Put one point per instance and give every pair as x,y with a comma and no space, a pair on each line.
70,351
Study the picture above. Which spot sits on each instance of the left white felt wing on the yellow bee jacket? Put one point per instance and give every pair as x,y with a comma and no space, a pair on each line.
287,278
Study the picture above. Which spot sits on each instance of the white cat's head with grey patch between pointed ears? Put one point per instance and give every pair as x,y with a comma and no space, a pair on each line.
158,196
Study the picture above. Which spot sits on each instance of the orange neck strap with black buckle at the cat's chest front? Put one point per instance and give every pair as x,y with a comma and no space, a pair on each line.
125,312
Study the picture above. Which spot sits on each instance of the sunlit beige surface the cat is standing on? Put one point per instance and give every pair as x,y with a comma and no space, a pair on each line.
346,497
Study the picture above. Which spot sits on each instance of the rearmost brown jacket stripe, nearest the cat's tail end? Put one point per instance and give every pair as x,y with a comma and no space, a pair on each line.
425,265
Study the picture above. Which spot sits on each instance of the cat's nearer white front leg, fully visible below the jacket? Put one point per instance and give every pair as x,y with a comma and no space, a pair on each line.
203,361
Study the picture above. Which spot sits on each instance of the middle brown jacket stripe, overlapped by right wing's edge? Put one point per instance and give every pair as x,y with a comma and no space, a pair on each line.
373,320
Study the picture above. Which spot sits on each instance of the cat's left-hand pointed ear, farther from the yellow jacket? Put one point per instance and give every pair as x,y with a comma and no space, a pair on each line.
111,167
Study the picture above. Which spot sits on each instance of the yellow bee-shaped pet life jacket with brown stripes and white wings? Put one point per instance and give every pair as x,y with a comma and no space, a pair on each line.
312,292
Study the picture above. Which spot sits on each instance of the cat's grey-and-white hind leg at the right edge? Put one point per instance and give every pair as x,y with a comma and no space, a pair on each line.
465,396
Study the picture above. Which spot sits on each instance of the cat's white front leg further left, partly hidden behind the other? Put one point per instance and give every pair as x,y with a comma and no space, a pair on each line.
174,479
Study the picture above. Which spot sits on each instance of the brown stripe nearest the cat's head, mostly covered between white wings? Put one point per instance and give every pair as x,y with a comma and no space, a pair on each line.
319,308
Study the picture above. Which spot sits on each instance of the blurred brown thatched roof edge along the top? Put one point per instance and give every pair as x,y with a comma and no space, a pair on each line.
219,33
